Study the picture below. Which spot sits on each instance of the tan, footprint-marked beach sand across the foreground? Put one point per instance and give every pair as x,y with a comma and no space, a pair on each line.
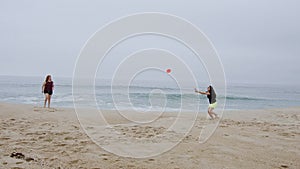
34,137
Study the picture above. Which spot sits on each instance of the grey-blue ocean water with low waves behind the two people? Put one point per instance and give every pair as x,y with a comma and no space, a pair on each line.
151,97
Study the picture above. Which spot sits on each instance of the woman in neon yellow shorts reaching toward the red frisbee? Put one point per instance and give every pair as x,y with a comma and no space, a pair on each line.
211,95
